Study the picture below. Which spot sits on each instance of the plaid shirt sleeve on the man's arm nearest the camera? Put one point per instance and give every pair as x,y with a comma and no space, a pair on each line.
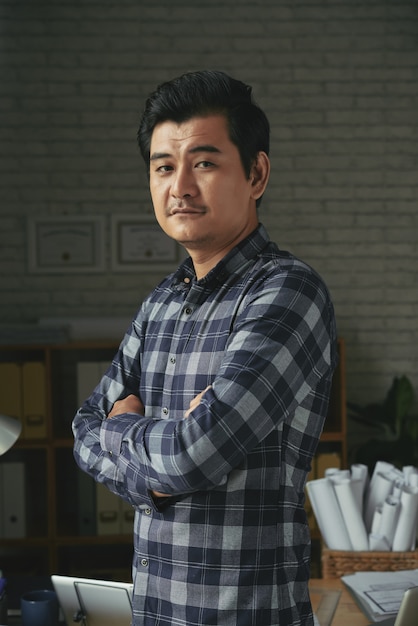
281,348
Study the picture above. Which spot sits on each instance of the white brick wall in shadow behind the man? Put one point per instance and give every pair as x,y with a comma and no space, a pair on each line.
339,81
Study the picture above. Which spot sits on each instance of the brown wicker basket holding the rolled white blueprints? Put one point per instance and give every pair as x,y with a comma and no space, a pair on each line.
337,563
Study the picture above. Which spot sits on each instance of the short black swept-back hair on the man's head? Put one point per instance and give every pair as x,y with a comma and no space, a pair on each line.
198,94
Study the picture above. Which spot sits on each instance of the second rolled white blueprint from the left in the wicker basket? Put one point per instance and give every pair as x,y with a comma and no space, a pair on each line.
352,514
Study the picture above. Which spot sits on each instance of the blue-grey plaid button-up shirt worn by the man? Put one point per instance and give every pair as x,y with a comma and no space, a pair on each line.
230,546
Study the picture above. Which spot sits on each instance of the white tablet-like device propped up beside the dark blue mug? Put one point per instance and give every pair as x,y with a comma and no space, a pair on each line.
92,602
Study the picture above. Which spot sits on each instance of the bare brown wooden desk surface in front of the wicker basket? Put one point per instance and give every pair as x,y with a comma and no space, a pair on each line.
348,612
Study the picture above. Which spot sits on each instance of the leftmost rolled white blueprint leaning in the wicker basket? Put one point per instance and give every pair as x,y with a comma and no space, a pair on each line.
328,514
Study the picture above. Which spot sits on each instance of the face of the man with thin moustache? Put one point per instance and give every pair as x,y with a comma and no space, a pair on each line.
201,195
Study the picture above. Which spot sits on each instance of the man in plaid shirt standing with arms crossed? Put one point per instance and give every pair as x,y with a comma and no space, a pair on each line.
208,418
